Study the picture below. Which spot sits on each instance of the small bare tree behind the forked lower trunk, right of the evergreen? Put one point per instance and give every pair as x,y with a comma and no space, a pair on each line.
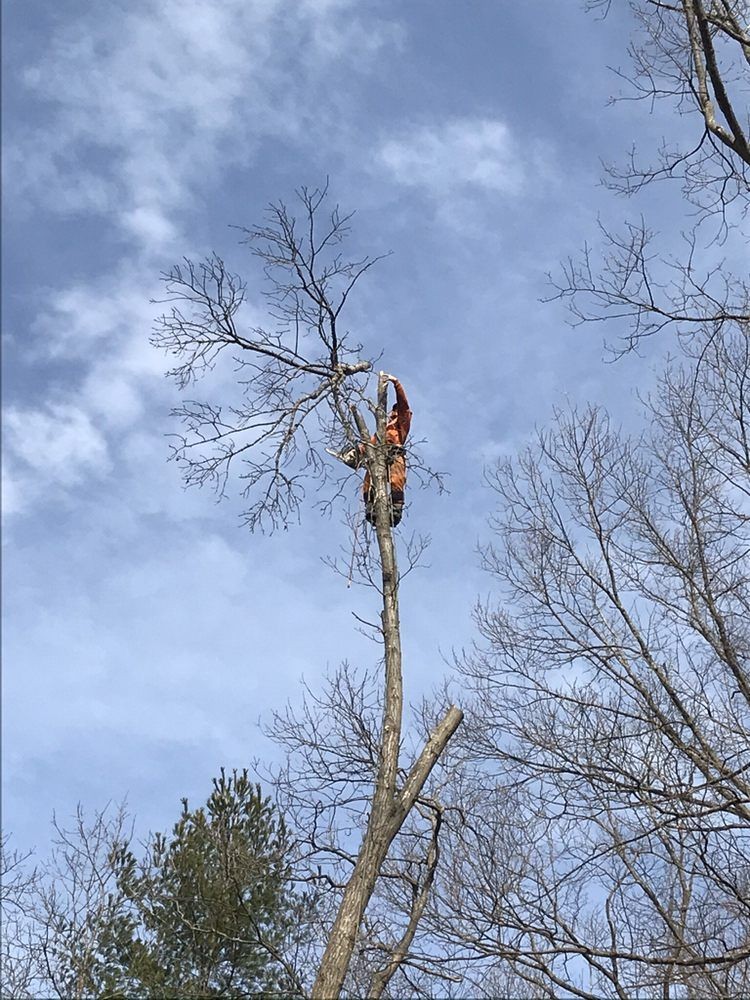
325,786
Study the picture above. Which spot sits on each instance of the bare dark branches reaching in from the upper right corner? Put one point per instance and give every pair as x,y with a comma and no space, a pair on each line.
693,55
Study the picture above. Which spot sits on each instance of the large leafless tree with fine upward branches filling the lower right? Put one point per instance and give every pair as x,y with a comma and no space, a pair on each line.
605,849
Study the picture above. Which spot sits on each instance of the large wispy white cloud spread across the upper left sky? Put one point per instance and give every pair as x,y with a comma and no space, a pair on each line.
153,100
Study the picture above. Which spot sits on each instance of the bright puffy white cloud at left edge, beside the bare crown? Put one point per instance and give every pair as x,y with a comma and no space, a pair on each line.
102,329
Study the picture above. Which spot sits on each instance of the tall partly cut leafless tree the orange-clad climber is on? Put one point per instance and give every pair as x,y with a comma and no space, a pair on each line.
301,387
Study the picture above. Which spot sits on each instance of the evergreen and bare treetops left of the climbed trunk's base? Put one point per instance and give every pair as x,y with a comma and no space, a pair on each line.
208,909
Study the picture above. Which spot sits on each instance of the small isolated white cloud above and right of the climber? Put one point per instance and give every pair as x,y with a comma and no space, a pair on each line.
476,153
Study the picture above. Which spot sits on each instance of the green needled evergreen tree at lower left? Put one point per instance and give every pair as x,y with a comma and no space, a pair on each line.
210,906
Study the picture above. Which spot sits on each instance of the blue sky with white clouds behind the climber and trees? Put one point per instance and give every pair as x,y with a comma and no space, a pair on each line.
146,633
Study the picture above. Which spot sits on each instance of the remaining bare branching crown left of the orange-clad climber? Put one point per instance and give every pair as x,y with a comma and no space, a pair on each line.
296,382
